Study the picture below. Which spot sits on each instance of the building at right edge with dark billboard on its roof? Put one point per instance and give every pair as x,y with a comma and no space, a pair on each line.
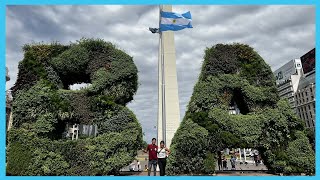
305,96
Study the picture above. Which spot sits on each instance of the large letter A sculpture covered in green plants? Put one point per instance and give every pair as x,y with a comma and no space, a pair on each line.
236,75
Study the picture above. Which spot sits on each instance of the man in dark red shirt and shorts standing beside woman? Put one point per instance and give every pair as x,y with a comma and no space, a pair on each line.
152,149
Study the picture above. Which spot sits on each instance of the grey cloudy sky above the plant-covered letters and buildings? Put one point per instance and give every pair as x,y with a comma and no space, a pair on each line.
277,33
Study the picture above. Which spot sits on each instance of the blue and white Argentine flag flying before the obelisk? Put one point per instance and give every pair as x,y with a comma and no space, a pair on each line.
171,21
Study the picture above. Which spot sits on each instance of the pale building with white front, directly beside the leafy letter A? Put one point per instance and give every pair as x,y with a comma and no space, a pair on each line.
287,80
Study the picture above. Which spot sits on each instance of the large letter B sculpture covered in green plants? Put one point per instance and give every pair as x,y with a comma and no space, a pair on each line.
43,105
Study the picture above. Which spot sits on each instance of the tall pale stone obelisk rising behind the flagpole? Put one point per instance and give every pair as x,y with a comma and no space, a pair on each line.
168,107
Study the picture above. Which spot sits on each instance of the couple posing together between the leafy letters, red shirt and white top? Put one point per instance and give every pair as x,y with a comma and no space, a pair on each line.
157,155
